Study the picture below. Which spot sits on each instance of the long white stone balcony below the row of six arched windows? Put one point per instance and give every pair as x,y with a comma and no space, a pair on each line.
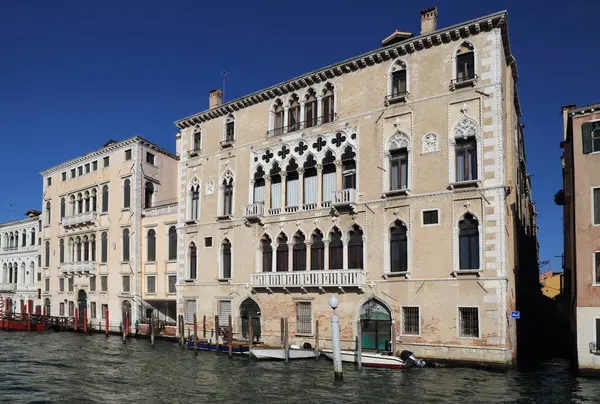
338,279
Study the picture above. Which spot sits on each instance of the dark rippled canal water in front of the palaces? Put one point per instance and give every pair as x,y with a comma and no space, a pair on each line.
70,368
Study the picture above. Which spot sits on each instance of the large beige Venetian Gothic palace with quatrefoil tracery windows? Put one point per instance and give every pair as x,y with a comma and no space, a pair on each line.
392,179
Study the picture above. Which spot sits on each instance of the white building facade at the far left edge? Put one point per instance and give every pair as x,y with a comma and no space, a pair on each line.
19,263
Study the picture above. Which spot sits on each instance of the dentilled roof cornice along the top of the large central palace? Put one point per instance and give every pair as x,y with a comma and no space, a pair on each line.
380,55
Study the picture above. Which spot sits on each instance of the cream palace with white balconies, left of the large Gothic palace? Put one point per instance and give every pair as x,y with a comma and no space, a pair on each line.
94,235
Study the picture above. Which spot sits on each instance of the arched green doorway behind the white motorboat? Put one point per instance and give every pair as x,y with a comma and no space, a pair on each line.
376,326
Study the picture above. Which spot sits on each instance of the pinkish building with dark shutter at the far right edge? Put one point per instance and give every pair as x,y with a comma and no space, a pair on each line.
581,187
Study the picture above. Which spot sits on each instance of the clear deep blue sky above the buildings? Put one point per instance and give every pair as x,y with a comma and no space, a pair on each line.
74,74
